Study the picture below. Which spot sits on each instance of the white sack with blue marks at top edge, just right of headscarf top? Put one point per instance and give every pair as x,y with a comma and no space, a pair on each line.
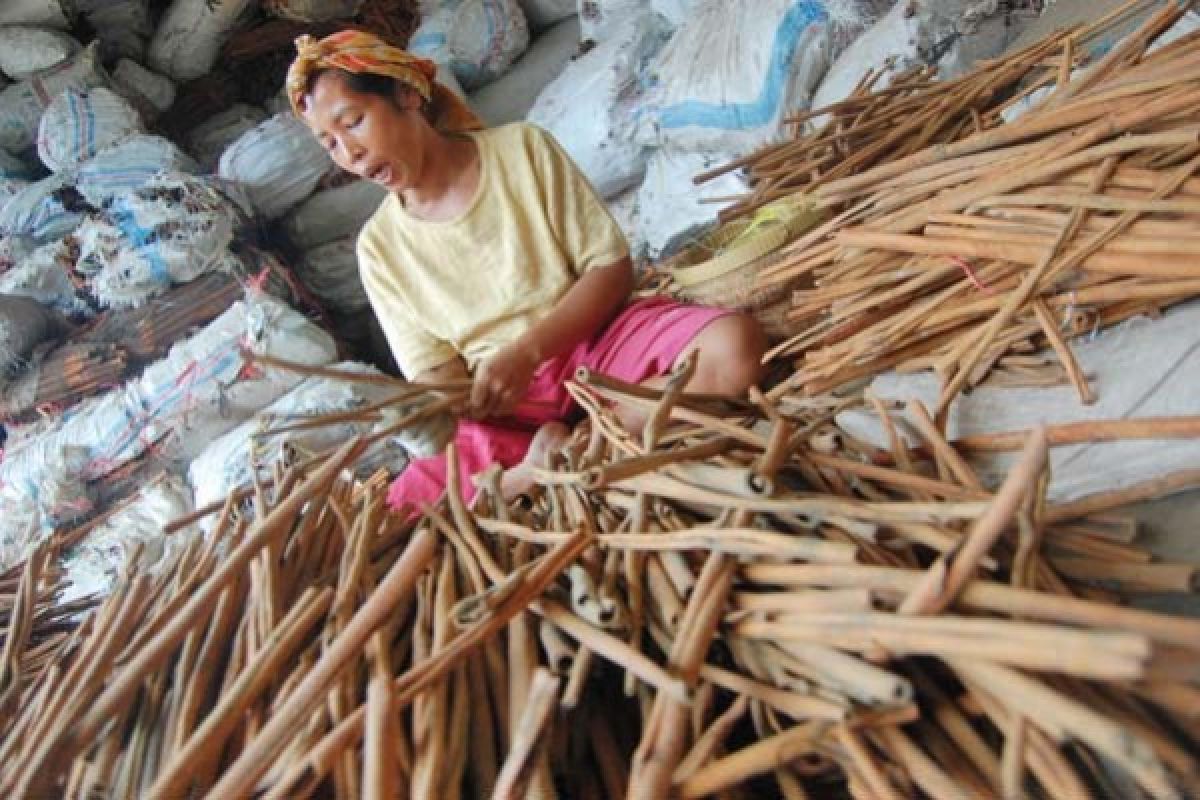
478,39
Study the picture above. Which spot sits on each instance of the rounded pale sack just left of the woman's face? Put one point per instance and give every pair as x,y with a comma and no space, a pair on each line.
279,164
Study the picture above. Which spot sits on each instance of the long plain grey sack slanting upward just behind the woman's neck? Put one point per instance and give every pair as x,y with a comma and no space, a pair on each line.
509,99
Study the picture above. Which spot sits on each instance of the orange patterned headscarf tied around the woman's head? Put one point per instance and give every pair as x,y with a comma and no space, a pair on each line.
358,52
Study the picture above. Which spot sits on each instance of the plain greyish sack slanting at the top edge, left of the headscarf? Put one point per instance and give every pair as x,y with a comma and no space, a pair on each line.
190,35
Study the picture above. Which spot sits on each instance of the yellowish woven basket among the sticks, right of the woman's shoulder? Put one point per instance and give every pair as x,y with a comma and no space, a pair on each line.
722,268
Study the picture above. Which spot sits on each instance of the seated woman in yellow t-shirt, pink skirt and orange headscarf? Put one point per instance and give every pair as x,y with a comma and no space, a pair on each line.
493,260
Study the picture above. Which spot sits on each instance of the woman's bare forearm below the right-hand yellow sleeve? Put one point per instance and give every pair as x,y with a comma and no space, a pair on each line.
587,306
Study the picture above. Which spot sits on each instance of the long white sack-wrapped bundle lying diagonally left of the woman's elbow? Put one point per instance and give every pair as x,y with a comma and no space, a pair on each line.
202,389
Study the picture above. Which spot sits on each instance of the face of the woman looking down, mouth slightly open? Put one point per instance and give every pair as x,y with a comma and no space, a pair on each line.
375,137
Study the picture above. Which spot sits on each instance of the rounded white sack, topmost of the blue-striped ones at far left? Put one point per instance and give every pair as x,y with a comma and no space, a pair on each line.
77,125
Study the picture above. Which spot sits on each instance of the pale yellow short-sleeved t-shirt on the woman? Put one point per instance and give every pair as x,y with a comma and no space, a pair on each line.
472,285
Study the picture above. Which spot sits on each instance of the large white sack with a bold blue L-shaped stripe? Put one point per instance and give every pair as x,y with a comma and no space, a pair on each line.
728,80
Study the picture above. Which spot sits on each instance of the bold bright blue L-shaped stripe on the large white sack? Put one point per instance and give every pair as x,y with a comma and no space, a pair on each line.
735,117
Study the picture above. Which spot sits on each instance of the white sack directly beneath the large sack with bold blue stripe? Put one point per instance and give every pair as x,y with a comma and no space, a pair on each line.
670,207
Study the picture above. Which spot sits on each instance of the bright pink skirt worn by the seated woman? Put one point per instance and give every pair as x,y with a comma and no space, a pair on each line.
643,342
